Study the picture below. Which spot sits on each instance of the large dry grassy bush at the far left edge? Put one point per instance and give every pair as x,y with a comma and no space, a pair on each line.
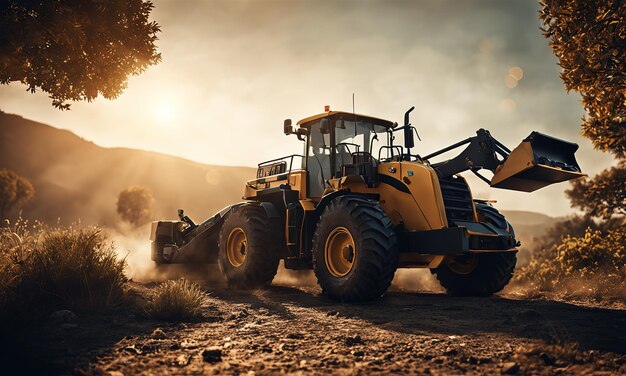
65,268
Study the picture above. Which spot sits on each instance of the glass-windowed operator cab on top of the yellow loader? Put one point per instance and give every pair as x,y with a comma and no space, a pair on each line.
341,144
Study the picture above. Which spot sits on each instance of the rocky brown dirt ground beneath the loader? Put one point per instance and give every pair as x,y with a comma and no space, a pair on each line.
285,329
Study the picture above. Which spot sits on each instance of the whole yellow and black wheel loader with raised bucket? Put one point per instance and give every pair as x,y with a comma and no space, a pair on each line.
356,205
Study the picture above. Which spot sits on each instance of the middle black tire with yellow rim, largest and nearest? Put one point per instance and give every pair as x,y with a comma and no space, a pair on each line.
355,250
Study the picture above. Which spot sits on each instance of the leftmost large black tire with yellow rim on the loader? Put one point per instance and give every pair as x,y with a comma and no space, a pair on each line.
249,248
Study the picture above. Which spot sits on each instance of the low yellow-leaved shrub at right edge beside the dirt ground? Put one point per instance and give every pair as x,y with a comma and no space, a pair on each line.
591,264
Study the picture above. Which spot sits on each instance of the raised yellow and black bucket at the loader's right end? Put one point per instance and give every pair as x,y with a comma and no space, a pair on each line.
538,161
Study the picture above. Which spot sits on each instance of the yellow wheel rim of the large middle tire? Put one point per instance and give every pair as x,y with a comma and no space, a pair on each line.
340,252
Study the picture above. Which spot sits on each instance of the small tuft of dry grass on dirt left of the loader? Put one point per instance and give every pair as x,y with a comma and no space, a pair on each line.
176,300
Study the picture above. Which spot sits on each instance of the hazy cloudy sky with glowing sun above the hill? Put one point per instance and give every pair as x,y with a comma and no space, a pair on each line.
233,70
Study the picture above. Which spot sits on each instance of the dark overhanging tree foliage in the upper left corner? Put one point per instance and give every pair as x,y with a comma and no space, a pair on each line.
76,49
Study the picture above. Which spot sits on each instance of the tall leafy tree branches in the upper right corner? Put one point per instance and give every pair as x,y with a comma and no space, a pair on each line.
589,39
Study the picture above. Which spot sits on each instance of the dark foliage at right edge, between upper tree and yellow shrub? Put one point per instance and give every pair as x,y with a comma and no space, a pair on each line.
604,195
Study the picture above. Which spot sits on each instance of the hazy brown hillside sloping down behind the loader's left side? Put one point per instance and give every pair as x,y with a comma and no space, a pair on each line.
75,179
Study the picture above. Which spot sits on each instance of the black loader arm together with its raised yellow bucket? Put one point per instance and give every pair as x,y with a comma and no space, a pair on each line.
538,161
